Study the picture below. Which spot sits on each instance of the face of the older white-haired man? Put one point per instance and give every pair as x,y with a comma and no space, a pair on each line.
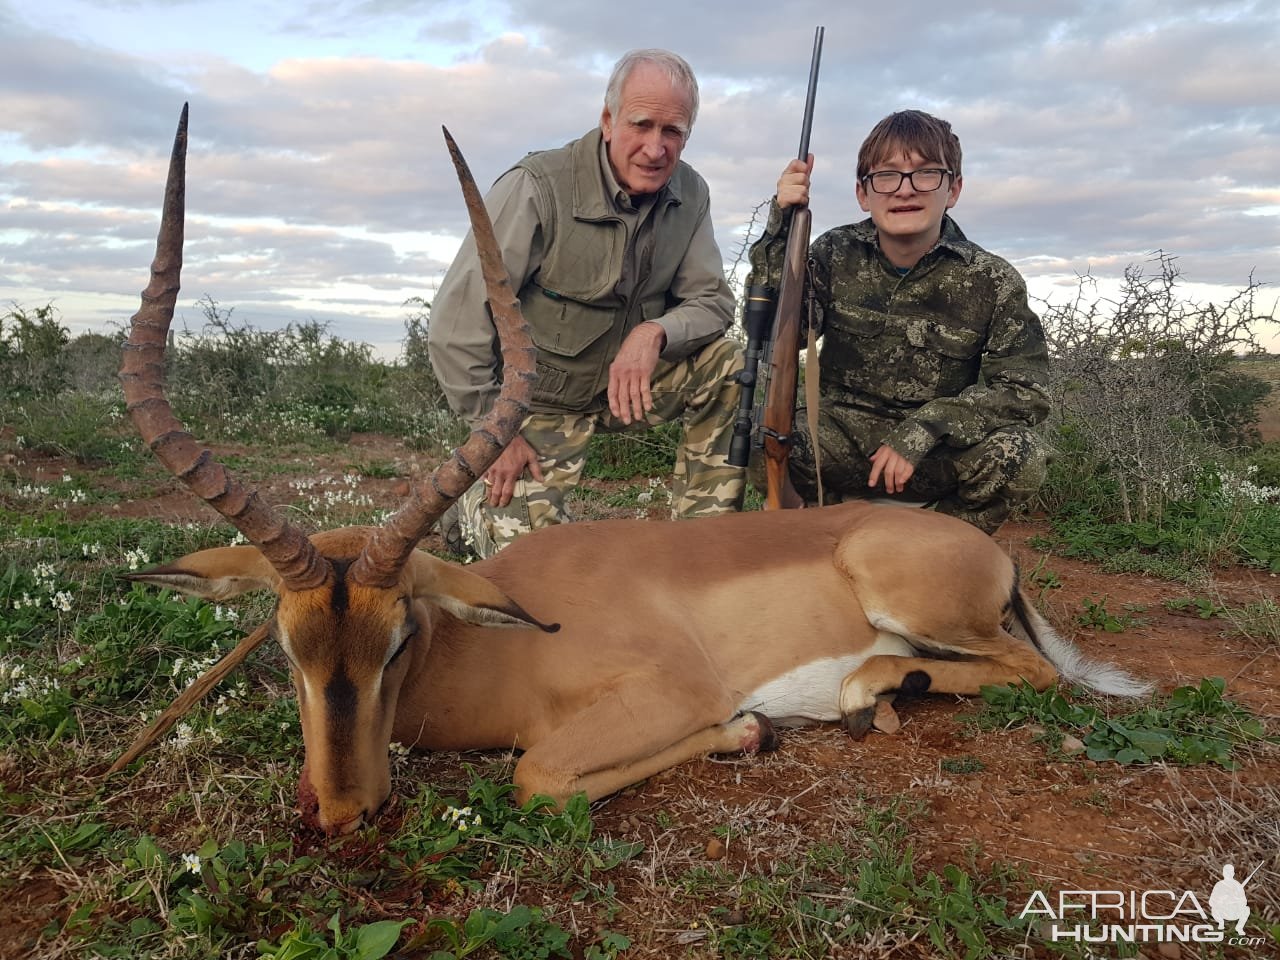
648,135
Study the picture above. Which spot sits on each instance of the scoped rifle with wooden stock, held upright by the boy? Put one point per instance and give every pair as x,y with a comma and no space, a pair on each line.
761,319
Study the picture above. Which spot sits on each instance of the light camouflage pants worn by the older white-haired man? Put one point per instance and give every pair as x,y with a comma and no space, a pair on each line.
701,391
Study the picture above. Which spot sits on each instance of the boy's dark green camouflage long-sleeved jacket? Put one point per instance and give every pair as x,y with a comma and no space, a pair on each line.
947,353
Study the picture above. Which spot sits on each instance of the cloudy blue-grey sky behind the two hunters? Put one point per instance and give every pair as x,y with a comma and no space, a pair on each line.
1095,134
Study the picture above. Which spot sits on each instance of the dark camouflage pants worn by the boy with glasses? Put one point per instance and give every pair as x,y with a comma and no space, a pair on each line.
981,484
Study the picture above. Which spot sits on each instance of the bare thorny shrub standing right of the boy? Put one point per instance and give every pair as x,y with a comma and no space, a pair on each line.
1144,391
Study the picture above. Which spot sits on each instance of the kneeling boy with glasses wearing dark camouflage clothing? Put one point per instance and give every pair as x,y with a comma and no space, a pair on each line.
934,367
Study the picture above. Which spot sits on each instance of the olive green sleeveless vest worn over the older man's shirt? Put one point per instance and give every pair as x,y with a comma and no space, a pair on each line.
575,313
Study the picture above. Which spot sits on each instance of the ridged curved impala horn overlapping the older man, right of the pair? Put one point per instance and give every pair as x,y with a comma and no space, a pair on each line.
391,545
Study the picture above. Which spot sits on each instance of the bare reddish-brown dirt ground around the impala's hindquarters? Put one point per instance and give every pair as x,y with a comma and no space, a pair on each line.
1068,822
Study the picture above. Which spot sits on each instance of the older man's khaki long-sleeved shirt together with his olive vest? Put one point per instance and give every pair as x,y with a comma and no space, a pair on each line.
588,264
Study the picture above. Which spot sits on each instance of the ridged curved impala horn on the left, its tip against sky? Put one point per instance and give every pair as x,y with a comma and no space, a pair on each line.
143,377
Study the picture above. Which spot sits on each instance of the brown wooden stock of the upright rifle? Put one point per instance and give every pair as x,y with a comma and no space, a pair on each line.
780,401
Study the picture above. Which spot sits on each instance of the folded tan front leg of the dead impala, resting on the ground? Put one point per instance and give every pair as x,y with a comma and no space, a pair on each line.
610,747
